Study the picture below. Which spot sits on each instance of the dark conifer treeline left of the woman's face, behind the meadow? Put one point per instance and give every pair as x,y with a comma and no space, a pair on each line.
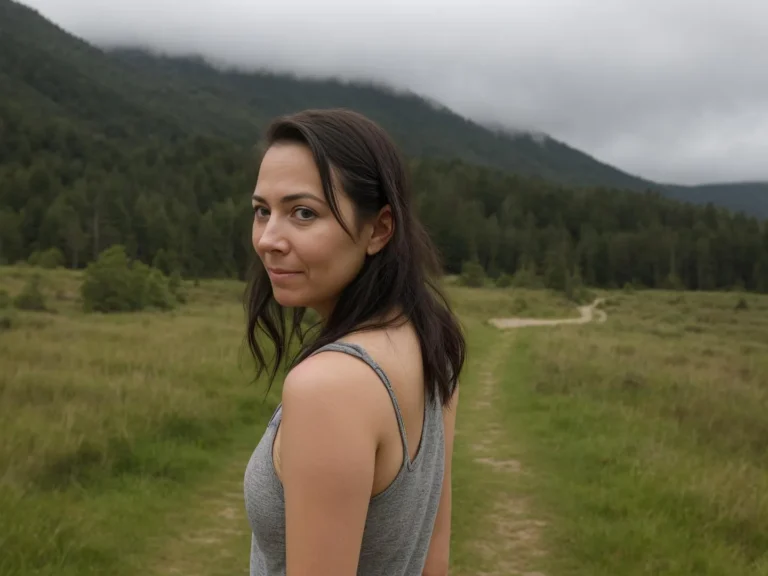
180,204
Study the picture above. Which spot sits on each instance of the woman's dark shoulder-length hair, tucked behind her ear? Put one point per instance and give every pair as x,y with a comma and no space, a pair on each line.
403,275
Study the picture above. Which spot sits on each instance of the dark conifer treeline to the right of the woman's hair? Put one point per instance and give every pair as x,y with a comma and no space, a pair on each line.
608,237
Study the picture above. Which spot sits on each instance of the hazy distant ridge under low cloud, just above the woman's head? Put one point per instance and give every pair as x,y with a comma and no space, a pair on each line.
420,127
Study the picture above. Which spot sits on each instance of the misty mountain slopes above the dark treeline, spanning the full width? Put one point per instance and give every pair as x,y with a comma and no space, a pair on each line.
134,95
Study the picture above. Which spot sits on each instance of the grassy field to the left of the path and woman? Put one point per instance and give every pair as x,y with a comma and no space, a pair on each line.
107,420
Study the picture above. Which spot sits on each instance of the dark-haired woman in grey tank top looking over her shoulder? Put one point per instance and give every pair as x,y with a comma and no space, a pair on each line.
353,474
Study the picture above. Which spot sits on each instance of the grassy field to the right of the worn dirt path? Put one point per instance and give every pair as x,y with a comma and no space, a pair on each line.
648,436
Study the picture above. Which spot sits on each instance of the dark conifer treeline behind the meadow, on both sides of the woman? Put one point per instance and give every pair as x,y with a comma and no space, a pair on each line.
184,205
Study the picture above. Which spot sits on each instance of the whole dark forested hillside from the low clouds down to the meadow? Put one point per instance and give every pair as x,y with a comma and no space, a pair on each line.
157,154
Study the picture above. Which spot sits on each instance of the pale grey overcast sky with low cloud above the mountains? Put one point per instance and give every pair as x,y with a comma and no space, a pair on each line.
673,90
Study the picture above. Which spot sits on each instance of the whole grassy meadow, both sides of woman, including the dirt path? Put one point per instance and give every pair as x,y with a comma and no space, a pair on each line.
636,446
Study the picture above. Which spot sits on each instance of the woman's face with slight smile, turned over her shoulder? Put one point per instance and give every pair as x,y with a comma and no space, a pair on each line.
309,257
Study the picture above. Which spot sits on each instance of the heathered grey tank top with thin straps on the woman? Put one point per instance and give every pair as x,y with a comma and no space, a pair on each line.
400,520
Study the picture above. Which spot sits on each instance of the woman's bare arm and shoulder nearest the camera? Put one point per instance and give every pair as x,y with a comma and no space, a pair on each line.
328,456
